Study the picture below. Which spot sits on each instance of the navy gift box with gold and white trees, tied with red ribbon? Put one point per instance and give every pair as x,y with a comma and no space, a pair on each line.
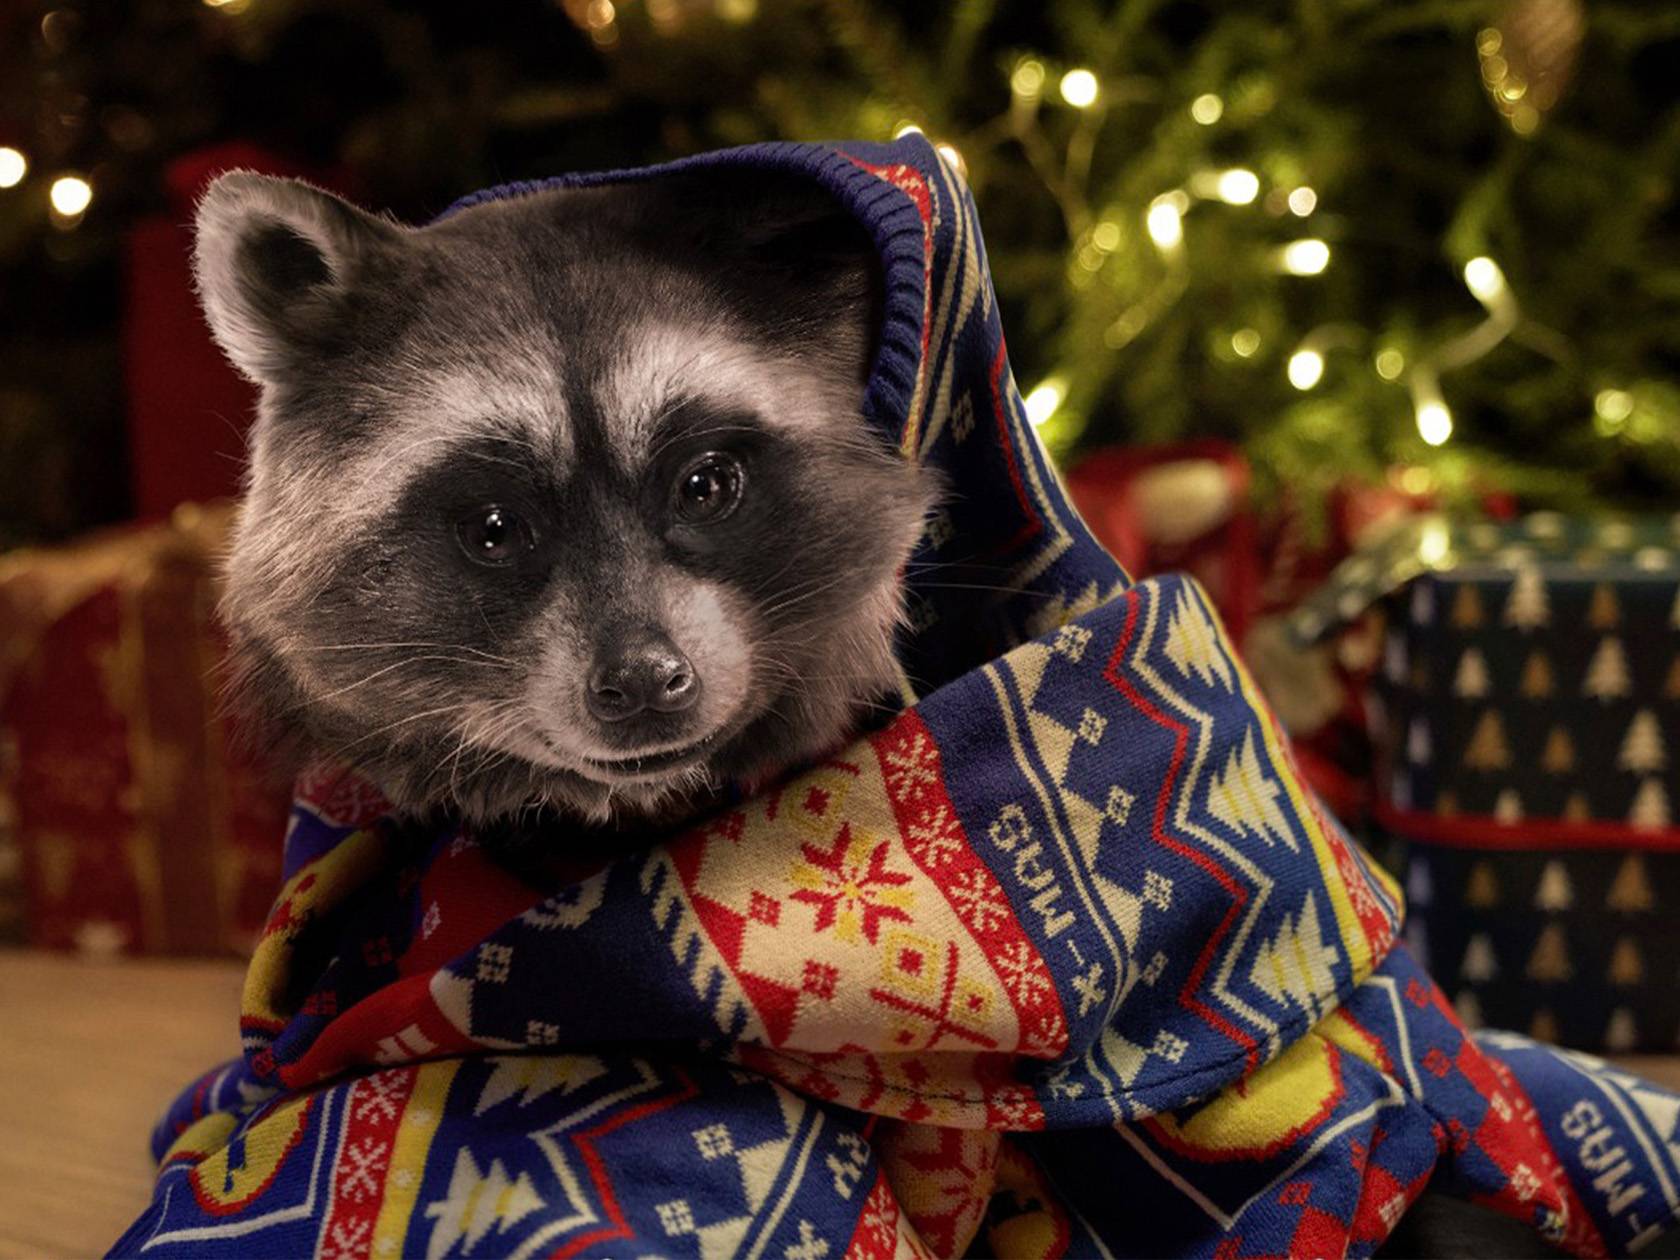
1526,725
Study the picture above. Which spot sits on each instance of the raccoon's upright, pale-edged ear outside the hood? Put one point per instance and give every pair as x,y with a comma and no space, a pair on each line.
276,261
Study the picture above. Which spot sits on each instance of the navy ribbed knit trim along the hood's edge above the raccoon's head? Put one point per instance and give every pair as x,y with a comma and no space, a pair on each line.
891,219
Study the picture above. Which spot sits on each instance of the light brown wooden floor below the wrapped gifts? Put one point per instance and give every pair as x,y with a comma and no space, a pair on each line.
90,1058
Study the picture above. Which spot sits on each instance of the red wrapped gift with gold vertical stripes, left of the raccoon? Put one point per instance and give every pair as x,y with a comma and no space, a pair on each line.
139,826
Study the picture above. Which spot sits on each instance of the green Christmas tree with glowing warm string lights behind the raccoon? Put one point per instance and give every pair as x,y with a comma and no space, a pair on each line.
1407,239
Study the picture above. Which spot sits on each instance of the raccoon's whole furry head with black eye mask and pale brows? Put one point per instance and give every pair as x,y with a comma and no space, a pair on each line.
565,500
